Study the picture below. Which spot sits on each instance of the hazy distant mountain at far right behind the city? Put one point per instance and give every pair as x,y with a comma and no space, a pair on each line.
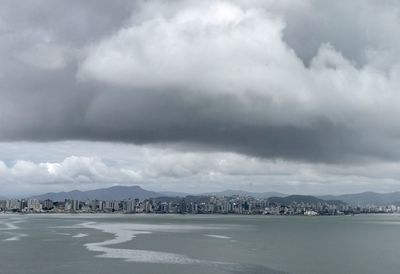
367,198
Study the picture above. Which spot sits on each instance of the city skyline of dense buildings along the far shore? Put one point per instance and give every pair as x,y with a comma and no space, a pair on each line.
205,204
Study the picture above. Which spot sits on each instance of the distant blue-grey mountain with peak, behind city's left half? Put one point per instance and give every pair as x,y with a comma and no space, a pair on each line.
112,193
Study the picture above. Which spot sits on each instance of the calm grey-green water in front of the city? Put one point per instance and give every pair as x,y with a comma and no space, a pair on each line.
198,244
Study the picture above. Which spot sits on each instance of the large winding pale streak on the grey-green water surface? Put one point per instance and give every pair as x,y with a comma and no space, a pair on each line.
125,232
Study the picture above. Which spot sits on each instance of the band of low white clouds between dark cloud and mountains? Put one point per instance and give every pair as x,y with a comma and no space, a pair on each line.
165,169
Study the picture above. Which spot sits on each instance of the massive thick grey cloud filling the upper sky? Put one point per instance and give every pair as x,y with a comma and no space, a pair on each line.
296,80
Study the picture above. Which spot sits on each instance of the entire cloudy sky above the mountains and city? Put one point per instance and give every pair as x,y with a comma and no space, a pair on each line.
296,96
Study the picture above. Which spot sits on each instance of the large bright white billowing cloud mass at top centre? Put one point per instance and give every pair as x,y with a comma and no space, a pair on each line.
200,46
